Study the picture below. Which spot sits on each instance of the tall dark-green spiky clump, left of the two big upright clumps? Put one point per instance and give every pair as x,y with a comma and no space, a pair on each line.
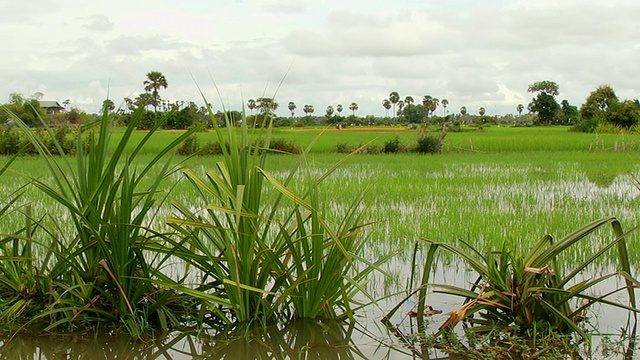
102,271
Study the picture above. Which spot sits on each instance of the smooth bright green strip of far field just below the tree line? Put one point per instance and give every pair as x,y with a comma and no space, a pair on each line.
487,139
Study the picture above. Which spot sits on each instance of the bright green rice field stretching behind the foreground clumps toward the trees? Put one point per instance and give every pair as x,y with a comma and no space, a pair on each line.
499,185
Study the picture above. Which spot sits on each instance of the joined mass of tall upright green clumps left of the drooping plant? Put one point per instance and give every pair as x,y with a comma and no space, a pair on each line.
248,256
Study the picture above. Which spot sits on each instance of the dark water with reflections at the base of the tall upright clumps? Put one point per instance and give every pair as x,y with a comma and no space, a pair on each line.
304,339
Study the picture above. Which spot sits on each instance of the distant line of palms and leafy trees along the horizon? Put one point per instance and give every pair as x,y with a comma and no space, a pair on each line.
601,111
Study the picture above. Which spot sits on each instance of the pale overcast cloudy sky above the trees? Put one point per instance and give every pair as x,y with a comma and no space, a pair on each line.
474,53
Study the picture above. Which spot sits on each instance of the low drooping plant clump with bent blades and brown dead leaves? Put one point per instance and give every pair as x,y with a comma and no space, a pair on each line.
529,294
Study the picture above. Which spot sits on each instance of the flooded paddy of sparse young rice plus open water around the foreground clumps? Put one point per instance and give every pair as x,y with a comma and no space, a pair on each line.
483,200
